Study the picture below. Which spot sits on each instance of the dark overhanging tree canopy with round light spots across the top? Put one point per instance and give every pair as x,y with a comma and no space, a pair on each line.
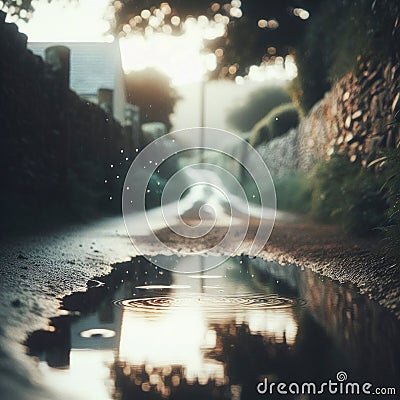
325,36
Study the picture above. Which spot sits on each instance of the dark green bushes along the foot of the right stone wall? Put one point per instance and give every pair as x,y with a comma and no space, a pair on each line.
338,191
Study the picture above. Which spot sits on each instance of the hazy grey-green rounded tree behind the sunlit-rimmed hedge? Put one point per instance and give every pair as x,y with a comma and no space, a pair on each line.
259,103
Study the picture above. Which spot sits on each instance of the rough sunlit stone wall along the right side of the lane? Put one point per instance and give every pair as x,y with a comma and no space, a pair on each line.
355,118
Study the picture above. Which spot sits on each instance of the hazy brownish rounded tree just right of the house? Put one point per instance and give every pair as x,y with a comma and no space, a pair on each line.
151,91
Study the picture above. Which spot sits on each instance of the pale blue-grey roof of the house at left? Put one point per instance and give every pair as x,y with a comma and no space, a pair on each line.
92,66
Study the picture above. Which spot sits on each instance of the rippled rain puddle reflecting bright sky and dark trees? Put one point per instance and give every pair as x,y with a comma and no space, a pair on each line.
147,333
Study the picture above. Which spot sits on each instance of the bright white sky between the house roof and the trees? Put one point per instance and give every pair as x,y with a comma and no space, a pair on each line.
181,58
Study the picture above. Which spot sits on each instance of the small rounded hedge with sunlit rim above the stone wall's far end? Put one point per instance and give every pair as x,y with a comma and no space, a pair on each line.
276,123
